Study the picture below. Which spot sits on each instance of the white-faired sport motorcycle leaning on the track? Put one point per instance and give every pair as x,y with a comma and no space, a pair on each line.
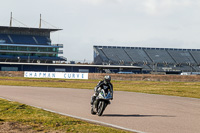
101,102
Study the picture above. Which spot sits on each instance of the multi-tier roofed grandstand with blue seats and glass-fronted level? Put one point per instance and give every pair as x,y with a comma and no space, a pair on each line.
29,45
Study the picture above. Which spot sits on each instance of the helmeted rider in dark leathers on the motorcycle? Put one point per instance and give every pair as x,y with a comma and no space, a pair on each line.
104,84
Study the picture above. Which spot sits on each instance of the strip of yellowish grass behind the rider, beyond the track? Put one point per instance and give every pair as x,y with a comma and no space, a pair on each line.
183,89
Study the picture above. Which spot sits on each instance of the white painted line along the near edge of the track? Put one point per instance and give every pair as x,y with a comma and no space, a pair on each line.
84,119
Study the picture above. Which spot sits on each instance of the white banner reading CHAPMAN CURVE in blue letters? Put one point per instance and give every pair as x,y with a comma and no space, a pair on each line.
62,75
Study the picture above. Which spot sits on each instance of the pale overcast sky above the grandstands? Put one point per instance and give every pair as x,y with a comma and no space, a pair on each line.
131,23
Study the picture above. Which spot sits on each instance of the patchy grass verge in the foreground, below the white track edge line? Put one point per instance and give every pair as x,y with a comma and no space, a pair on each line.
39,120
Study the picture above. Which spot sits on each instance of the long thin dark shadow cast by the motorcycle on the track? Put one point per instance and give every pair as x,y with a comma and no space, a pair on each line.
134,115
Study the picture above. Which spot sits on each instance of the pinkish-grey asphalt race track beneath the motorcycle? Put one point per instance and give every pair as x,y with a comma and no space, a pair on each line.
135,111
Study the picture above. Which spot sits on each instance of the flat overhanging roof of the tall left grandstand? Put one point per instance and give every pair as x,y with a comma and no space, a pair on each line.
28,29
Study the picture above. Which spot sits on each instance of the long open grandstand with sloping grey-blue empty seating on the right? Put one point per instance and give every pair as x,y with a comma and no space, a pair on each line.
169,60
